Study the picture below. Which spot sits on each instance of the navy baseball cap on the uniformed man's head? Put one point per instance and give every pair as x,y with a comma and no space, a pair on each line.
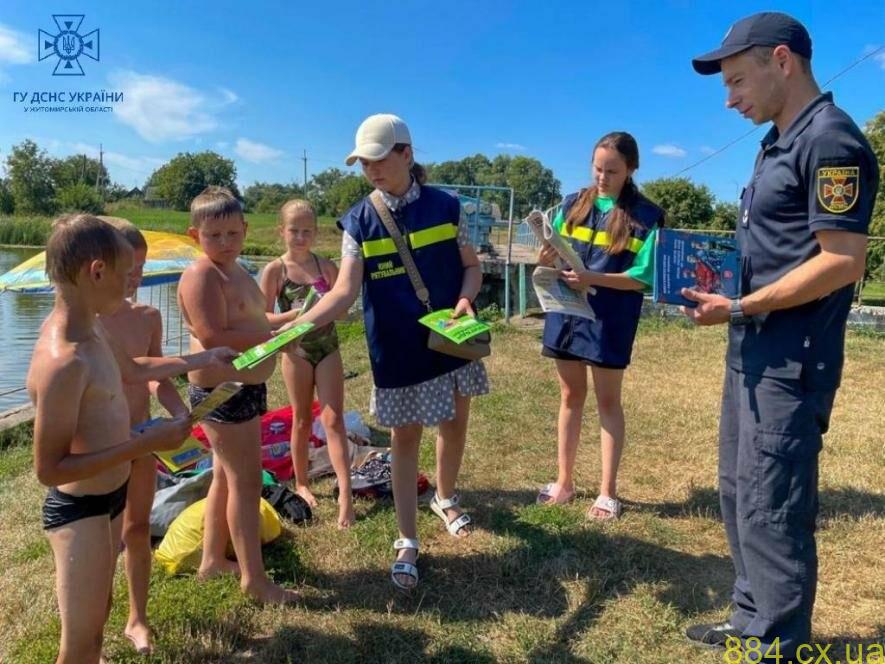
764,29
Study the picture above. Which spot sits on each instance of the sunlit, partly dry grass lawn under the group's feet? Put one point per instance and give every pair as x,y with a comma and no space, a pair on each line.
532,584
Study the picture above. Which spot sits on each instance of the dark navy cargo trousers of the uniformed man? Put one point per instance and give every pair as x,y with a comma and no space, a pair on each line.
770,435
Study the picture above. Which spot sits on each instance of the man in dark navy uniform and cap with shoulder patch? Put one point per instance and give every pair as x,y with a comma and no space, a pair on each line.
802,233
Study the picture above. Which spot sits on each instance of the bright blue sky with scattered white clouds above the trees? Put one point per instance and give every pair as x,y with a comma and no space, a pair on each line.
260,83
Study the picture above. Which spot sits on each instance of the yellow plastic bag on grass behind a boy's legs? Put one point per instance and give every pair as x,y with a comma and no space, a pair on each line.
182,546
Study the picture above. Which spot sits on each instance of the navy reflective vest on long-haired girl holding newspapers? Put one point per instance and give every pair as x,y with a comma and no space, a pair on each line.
609,339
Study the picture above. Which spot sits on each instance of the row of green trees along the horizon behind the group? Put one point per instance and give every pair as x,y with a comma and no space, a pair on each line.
37,184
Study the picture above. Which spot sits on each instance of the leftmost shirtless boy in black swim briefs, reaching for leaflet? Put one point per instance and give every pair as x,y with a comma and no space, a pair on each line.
82,441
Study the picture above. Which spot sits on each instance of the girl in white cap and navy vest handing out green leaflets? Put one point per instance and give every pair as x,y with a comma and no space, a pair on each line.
414,386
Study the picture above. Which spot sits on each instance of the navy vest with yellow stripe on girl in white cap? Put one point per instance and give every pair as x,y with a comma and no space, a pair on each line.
397,342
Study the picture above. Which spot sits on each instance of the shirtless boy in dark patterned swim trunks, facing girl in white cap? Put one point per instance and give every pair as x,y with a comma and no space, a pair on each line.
222,305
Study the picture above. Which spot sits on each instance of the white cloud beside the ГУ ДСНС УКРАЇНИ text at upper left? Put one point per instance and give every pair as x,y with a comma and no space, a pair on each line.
161,109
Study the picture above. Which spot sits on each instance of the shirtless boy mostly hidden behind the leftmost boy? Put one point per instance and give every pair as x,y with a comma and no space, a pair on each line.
138,330
